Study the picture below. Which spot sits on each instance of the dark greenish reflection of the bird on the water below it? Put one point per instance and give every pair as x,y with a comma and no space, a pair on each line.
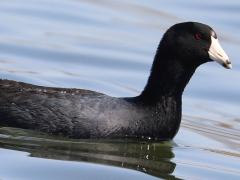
151,157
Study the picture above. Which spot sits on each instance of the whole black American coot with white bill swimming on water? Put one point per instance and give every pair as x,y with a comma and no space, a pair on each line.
155,113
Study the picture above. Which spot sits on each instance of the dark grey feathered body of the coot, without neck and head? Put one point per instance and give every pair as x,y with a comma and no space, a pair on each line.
81,113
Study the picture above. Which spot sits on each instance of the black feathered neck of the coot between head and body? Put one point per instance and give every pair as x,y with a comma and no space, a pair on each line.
168,77
